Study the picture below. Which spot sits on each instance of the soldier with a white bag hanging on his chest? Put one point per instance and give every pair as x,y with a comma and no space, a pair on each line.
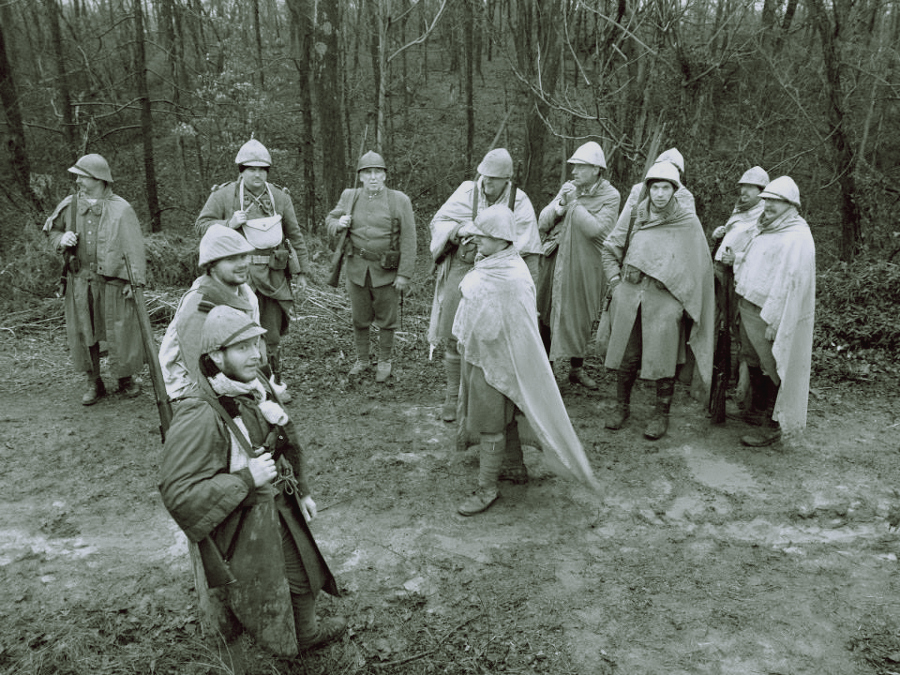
264,214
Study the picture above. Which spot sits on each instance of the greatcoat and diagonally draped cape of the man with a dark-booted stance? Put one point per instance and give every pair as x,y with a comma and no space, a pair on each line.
667,275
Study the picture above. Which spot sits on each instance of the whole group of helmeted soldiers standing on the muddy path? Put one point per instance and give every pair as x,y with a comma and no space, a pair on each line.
515,292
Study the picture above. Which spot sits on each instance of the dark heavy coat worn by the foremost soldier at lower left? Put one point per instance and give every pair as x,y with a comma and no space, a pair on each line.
237,526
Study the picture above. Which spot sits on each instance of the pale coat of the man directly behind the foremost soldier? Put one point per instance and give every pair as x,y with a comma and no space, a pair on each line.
180,346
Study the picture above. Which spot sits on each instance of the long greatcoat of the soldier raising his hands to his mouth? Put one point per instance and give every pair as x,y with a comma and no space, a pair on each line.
572,284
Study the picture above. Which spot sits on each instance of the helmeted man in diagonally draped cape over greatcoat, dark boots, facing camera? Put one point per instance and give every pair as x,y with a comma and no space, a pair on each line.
661,274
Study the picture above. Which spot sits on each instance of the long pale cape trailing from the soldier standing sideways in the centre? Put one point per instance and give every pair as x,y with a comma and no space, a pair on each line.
496,323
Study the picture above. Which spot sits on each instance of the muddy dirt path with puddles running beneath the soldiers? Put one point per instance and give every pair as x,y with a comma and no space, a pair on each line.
699,556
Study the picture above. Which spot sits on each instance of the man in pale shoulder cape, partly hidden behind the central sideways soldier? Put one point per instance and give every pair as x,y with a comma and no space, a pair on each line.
453,256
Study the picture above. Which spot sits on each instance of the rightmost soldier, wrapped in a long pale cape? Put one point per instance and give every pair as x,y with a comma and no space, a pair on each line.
776,288
